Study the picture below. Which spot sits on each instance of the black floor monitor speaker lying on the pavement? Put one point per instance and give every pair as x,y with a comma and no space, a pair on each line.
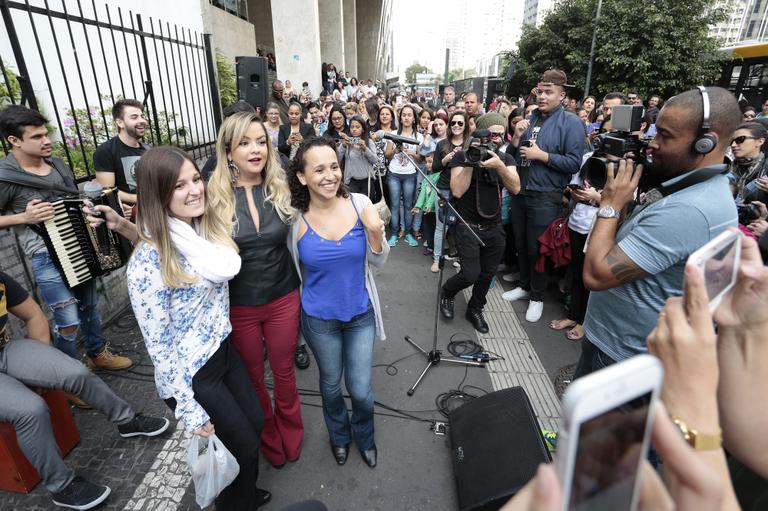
497,446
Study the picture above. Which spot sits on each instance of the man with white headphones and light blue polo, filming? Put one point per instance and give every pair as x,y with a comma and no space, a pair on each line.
634,262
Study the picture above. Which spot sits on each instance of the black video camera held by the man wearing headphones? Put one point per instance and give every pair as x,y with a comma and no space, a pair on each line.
620,142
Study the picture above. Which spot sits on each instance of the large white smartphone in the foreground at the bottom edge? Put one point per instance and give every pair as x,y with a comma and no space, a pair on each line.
605,438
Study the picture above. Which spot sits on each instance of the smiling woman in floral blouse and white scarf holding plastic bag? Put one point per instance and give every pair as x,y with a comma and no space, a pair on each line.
178,285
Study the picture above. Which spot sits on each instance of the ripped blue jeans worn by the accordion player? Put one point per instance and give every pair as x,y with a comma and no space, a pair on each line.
71,307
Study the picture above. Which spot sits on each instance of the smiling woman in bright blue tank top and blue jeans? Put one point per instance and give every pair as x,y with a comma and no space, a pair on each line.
334,243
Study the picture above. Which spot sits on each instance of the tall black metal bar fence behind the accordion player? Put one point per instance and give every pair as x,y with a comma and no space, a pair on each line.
73,65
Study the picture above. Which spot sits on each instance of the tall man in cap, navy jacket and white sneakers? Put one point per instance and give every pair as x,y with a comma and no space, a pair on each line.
549,148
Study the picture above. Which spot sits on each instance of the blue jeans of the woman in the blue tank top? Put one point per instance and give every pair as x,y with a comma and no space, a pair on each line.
344,347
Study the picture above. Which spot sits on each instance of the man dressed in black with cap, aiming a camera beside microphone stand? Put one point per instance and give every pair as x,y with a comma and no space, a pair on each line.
477,176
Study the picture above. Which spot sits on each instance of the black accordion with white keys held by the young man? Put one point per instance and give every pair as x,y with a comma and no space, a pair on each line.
79,251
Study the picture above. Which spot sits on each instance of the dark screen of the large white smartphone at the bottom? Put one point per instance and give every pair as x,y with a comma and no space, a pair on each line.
608,456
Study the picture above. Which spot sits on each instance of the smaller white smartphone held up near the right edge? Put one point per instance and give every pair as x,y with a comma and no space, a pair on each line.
718,261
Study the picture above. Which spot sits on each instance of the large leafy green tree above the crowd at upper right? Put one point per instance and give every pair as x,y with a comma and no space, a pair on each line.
662,48
